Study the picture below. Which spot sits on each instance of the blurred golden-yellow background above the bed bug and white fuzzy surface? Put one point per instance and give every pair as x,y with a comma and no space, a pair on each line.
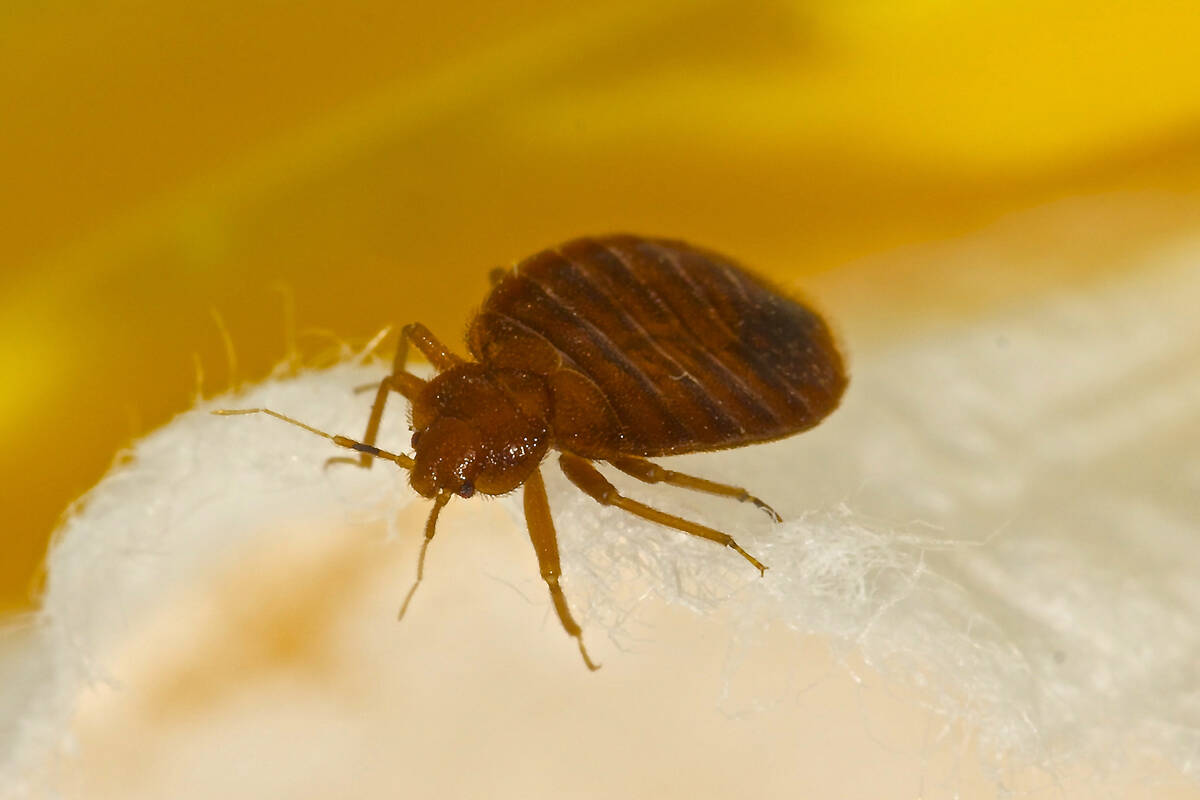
163,160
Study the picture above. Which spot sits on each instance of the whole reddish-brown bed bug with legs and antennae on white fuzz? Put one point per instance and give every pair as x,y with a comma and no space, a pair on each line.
608,350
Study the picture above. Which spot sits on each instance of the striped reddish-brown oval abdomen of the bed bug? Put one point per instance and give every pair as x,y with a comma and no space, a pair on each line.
688,351
